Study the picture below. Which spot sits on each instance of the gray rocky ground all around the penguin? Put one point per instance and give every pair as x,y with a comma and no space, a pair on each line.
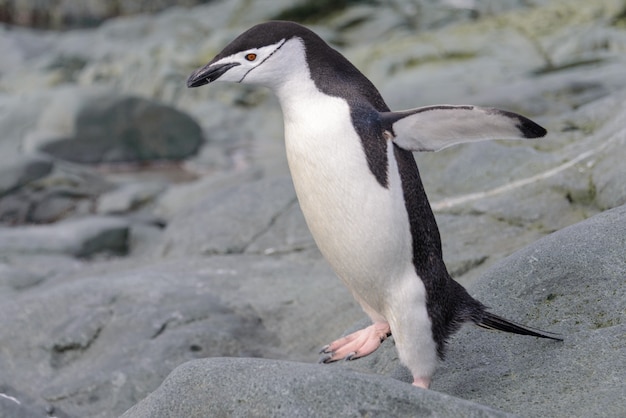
154,261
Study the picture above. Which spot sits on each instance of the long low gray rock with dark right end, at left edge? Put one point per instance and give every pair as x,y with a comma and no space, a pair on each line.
81,237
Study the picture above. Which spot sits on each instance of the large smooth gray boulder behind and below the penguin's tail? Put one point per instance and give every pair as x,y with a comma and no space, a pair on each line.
571,282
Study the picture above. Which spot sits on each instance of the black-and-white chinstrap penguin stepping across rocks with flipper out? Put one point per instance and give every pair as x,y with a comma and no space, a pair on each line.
359,188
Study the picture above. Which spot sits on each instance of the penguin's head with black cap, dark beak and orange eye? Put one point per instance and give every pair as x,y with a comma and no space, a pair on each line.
262,55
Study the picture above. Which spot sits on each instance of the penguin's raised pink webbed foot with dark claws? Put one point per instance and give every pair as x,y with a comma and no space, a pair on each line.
356,345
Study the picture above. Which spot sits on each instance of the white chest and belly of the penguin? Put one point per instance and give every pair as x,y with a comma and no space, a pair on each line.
360,226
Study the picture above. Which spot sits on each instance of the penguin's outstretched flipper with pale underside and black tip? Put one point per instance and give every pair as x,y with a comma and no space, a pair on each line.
432,128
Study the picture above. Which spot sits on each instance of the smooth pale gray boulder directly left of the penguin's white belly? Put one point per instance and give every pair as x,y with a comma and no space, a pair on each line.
260,216
